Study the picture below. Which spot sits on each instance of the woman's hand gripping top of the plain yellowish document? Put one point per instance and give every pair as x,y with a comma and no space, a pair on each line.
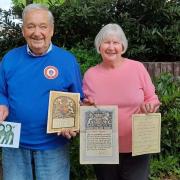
149,108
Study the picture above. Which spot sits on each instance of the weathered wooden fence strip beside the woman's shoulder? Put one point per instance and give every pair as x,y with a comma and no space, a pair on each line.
156,68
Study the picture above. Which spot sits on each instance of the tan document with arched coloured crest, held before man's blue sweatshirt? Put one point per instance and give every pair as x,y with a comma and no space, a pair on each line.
63,111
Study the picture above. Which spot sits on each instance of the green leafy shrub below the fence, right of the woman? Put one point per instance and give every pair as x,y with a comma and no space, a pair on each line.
166,165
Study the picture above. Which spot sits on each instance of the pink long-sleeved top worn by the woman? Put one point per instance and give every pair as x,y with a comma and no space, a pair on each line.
127,86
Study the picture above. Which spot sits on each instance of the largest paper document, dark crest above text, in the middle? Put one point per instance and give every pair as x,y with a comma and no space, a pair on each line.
99,135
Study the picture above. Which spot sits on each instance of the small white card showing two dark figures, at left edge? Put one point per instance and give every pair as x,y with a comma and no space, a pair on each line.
9,134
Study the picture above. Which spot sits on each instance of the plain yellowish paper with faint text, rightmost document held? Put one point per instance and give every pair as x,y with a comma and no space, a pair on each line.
146,133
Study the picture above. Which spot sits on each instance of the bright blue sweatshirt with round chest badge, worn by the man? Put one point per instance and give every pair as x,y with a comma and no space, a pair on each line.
25,83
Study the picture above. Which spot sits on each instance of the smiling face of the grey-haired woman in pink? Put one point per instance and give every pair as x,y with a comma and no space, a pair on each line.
111,48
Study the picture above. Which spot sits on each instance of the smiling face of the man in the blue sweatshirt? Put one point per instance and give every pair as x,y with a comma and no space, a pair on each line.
38,31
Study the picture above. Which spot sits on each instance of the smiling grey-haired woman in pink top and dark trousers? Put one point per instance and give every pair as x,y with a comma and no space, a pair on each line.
126,83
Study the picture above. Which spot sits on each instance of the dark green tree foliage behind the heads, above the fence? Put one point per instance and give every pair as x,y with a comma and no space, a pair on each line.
151,26
